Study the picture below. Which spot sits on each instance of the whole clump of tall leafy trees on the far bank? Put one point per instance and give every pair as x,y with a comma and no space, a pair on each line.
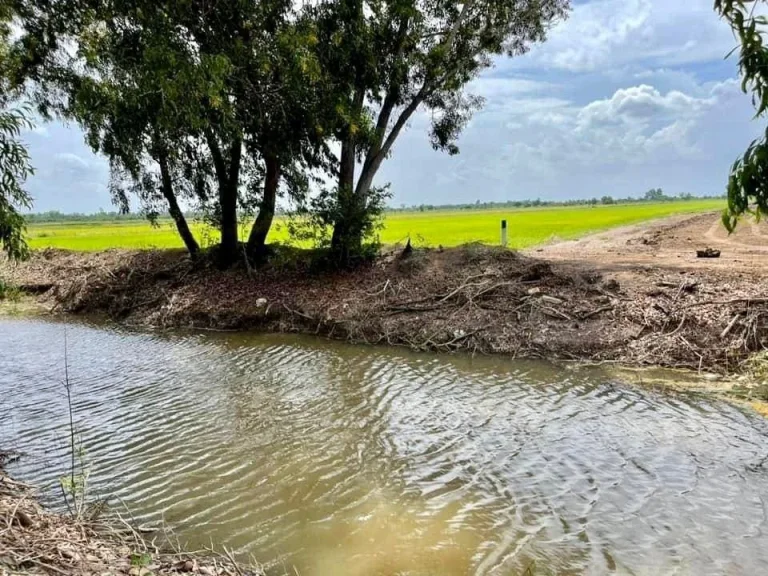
220,107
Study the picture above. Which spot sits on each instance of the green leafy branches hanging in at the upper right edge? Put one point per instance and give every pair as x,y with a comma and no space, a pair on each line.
748,179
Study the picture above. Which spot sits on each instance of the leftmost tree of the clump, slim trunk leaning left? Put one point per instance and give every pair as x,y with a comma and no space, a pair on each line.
122,85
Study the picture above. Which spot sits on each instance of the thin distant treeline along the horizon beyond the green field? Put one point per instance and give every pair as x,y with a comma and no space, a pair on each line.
654,195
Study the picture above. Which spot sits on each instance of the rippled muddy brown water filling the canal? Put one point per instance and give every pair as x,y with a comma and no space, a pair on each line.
344,460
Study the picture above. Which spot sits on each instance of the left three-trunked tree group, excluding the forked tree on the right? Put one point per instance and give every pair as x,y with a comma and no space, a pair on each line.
186,98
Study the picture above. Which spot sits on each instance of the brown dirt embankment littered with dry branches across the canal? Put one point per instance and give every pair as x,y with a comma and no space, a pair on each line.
636,295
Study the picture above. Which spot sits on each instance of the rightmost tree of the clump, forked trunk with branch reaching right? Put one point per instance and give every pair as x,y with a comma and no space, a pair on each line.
393,57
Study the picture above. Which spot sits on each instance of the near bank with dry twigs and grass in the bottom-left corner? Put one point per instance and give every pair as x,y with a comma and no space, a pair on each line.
54,544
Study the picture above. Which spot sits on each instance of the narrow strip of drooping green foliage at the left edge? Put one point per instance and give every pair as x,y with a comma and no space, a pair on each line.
15,168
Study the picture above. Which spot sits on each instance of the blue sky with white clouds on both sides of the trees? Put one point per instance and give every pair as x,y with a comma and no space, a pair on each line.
624,96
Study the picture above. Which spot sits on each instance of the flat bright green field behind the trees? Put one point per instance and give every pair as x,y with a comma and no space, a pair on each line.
527,227
